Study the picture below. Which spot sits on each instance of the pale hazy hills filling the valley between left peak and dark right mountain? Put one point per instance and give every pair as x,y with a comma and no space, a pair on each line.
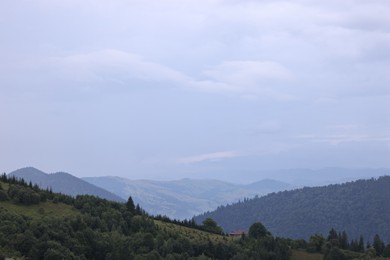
184,198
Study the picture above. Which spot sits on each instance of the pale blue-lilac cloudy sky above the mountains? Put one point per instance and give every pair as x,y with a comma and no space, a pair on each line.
194,89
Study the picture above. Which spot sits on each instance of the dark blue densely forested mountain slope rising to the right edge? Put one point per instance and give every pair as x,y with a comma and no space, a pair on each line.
360,208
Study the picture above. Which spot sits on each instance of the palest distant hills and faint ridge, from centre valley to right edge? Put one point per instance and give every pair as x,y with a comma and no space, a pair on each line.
189,197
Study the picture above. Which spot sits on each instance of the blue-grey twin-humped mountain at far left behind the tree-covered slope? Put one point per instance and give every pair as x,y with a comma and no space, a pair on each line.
64,183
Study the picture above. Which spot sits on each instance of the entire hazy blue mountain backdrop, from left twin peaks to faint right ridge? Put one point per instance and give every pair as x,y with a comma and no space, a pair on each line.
186,198
